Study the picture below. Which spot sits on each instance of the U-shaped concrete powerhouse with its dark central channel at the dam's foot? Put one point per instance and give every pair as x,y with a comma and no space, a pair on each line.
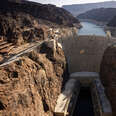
81,98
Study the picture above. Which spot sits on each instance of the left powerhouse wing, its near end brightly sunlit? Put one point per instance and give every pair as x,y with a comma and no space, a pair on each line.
67,99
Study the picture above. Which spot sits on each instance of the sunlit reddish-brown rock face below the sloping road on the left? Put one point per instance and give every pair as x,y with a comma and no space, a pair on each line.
30,86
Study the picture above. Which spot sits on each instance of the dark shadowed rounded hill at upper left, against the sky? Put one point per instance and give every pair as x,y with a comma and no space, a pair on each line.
49,13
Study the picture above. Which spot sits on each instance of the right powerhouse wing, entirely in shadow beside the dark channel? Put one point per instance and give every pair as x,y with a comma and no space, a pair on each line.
102,106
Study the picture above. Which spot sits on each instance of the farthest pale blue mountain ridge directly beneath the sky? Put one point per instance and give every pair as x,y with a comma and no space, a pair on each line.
81,8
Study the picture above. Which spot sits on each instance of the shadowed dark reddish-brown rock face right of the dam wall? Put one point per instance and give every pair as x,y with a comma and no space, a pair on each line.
108,75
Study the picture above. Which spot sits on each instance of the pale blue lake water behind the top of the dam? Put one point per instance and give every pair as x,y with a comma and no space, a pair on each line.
91,29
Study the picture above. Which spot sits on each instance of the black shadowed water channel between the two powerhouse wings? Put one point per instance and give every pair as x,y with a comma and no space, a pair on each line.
84,105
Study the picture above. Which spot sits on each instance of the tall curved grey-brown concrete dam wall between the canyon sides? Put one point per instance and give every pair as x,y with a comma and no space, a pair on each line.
84,53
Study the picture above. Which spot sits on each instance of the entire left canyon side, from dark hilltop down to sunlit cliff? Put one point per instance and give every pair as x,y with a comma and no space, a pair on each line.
30,86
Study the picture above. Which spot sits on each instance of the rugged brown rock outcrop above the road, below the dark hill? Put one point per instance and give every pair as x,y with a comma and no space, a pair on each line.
21,28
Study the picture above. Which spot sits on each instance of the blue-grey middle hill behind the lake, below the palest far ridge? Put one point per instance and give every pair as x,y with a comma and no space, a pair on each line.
100,15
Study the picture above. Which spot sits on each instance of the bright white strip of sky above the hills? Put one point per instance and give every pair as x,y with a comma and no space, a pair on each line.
66,2
